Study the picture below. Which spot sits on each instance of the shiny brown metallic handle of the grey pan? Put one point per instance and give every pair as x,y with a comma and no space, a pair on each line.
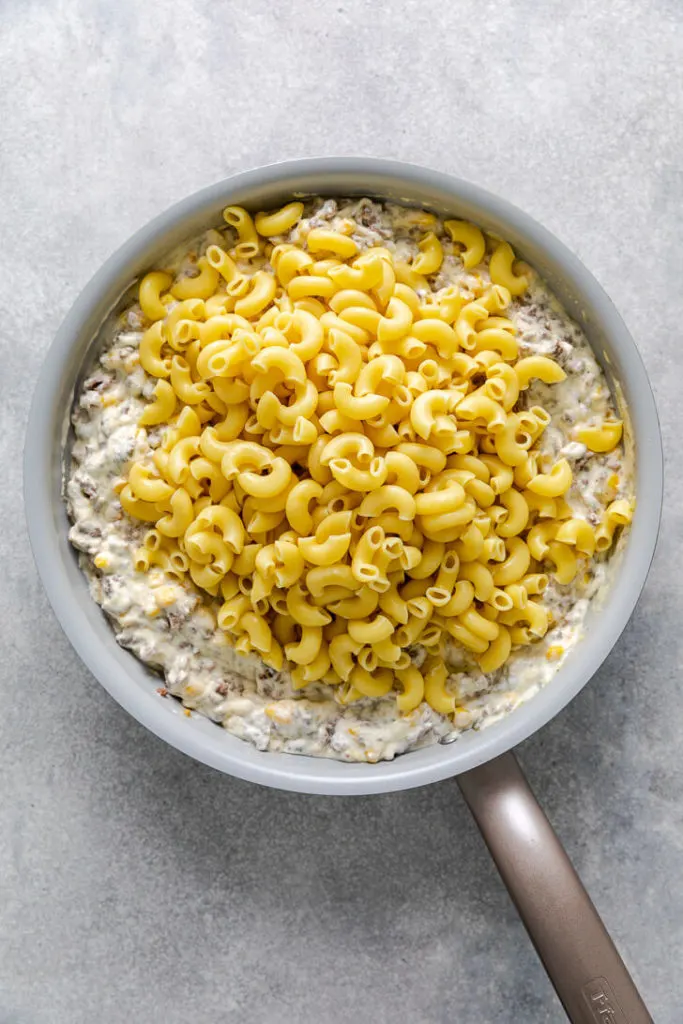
582,961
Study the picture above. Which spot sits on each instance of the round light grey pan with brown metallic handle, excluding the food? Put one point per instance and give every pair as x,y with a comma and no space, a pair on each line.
580,958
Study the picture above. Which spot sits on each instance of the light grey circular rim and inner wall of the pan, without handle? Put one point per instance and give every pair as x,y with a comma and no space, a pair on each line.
129,681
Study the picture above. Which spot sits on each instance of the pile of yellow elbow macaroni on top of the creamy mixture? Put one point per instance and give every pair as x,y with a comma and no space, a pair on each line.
343,463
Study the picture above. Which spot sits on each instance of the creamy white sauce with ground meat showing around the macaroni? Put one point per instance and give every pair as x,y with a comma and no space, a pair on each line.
173,628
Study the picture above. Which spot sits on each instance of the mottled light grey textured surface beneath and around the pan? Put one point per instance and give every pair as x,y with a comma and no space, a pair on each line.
137,885
